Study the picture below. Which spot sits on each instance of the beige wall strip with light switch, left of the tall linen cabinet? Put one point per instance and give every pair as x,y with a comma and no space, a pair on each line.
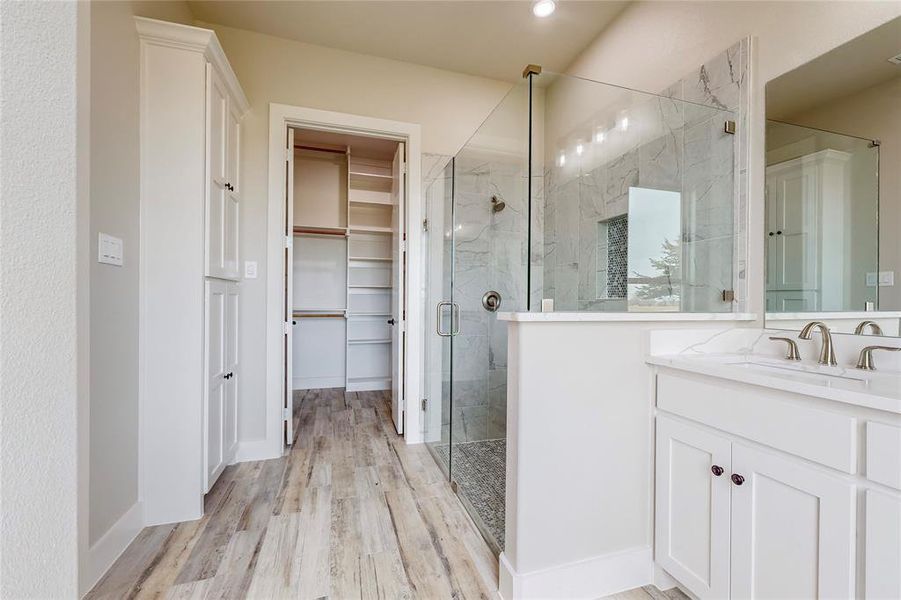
113,462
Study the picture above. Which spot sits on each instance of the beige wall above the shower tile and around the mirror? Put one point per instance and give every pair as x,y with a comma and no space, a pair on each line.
651,41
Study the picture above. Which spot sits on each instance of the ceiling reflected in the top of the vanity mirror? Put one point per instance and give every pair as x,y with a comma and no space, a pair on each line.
850,68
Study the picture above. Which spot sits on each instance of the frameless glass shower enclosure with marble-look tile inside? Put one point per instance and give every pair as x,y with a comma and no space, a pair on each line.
579,194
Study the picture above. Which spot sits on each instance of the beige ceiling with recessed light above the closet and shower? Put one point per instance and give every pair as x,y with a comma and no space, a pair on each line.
490,39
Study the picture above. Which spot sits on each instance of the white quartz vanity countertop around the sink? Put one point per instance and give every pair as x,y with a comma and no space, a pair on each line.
880,390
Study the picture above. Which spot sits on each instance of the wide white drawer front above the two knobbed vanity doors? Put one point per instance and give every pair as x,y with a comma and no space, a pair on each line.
766,416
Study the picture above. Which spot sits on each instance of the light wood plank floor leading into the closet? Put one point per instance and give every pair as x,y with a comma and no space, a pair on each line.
350,512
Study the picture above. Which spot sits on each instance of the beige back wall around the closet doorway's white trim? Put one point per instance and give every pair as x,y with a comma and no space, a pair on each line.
448,106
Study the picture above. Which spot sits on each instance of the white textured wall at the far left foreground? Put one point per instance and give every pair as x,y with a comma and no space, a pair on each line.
43,297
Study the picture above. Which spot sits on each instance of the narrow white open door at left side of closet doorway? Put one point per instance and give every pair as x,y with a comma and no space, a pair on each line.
289,290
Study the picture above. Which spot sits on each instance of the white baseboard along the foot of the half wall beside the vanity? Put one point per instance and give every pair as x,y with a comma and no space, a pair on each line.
594,577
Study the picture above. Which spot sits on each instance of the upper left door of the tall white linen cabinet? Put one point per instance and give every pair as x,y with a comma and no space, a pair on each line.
217,170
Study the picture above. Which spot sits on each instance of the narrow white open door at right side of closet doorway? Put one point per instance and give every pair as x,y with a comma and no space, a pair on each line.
398,312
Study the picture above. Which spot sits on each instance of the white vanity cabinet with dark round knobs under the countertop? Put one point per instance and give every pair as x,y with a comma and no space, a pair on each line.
747,509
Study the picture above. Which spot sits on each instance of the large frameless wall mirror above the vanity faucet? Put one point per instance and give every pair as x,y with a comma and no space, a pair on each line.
833,189
